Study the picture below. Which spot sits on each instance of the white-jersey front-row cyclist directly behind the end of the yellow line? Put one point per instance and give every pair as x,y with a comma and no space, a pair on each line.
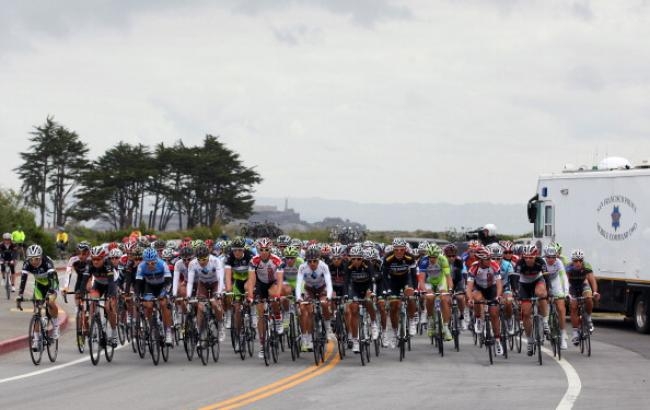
318,285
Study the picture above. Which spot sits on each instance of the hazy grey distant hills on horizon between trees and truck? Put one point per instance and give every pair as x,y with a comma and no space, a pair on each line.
509,218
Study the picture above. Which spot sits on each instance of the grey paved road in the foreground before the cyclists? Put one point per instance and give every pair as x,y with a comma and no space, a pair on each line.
615,376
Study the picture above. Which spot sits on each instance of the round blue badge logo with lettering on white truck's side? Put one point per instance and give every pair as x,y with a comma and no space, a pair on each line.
616,218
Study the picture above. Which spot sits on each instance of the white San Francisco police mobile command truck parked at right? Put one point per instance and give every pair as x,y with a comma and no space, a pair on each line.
606,212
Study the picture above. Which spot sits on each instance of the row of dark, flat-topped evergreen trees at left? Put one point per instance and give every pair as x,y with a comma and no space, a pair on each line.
132,184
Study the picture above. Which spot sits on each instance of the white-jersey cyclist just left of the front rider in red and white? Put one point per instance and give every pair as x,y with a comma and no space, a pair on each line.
207,269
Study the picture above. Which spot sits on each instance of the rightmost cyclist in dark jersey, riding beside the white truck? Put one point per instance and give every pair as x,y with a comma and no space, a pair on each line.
581,283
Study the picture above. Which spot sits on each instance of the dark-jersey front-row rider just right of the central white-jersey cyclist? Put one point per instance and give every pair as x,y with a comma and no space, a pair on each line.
360,275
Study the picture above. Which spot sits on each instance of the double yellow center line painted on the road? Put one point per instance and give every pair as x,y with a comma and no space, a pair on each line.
279,385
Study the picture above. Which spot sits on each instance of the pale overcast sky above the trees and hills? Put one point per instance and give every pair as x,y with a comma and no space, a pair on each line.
373,101
